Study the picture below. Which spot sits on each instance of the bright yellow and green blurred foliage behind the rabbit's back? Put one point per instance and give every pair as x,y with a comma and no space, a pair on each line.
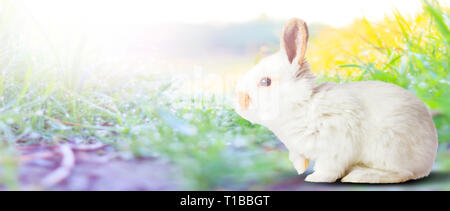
412,52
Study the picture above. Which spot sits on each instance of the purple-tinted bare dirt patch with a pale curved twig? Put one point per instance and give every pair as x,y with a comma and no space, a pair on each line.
92,167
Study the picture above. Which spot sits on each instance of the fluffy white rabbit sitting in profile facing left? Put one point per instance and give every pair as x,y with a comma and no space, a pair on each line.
362,132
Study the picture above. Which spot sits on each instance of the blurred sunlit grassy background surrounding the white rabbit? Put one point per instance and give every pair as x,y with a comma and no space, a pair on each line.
135,95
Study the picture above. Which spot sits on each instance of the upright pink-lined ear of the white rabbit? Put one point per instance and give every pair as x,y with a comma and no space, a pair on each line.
294,40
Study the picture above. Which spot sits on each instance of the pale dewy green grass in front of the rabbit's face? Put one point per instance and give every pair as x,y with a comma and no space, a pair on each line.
213,146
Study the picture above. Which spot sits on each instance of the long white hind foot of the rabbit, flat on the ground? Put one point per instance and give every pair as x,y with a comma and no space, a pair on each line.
360,174
